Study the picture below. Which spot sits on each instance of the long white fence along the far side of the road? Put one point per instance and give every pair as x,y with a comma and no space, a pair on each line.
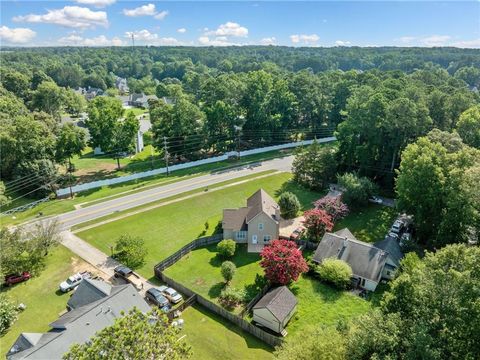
163,170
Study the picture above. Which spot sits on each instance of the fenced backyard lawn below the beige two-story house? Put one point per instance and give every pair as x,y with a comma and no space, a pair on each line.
200,272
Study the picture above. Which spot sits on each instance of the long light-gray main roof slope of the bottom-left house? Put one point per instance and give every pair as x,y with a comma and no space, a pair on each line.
79,325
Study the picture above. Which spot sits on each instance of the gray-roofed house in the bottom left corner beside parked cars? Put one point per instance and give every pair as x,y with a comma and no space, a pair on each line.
94,306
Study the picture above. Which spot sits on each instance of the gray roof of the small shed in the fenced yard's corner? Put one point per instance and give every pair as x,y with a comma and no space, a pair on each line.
279,301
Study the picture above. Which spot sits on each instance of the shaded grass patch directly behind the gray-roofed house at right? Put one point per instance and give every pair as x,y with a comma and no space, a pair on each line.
369,224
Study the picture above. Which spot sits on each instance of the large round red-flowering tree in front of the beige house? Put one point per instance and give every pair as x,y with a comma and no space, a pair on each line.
282,262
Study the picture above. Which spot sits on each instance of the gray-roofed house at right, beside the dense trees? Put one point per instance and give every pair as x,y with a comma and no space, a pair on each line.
370,263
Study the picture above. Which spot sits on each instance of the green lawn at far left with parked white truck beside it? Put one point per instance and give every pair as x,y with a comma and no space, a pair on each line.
41,296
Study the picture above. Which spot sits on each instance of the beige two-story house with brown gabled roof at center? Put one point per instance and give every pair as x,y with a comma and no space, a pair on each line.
256,224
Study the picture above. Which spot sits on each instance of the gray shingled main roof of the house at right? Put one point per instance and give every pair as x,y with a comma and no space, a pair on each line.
366,260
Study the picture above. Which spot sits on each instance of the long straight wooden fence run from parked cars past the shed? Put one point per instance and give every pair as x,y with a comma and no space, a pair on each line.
270,339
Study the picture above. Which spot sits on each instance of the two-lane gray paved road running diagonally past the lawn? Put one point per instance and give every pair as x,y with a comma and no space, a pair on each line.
75,217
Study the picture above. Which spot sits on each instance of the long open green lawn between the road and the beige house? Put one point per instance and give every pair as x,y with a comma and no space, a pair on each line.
168,228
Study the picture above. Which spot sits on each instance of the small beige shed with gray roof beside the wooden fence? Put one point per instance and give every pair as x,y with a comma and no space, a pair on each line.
275,309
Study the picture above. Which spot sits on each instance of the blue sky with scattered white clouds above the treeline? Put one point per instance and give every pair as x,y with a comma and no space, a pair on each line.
217,23
